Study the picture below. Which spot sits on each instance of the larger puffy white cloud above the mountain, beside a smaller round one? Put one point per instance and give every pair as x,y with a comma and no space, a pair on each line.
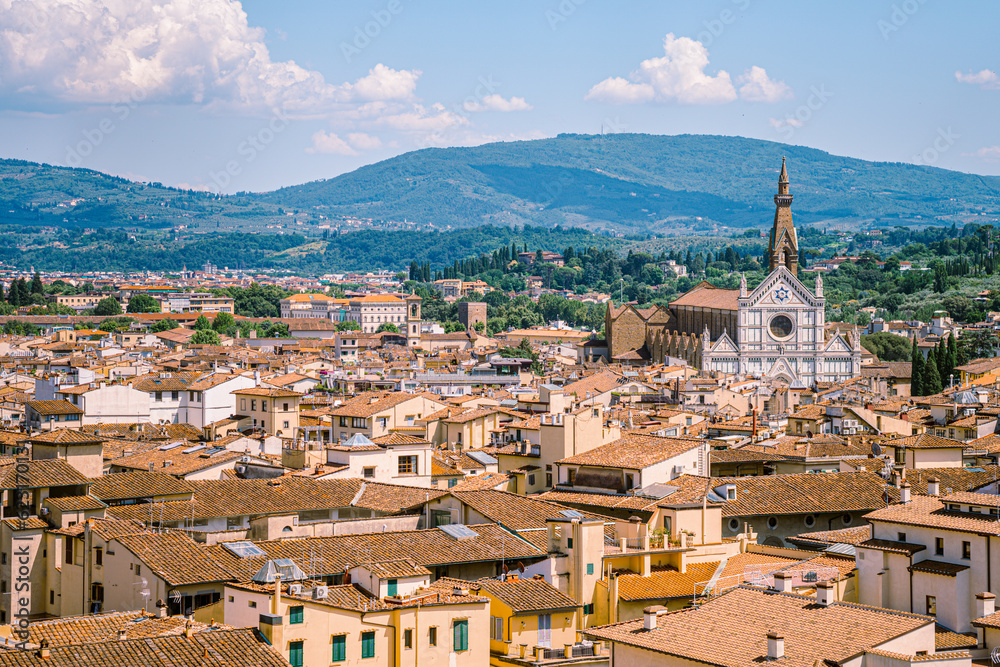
679,76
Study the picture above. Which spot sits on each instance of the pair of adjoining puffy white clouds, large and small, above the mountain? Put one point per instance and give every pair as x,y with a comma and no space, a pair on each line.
680,77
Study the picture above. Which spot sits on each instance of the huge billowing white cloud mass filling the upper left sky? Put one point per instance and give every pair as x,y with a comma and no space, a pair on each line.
173,51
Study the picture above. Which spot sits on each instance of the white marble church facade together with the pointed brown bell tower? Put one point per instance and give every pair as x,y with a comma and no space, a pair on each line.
781,330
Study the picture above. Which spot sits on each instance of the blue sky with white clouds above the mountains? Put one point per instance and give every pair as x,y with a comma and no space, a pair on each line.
254,96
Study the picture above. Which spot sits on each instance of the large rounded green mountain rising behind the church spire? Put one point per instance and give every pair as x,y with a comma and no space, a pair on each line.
637,183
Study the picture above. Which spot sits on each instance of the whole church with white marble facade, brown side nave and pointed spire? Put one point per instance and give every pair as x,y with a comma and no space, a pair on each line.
777,331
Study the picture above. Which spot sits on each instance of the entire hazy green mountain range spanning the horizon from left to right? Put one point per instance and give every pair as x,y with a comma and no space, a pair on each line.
623,183
